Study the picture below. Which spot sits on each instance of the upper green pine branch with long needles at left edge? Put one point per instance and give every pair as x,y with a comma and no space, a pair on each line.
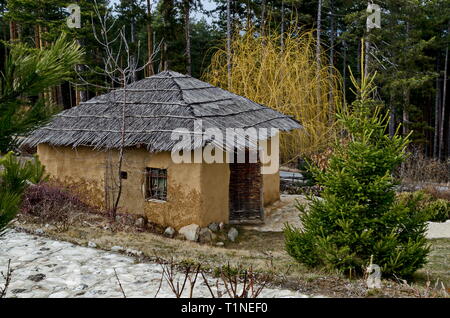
27,74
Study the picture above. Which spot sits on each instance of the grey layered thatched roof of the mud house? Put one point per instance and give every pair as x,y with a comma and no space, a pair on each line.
155,107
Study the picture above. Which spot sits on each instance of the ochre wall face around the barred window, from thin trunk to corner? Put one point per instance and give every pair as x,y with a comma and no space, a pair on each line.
183,205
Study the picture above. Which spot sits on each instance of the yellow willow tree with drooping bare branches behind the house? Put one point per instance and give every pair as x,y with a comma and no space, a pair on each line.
288,78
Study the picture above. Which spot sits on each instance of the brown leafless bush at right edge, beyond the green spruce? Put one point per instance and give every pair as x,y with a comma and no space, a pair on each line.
418,168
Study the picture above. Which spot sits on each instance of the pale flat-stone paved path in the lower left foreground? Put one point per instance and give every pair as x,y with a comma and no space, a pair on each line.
48,268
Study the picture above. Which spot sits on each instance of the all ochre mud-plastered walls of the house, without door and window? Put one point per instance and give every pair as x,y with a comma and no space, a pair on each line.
197,193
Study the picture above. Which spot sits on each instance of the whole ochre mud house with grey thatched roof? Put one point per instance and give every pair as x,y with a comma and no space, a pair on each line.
80,147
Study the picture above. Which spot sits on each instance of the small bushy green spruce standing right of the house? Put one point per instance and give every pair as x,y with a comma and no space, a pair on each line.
358,218
